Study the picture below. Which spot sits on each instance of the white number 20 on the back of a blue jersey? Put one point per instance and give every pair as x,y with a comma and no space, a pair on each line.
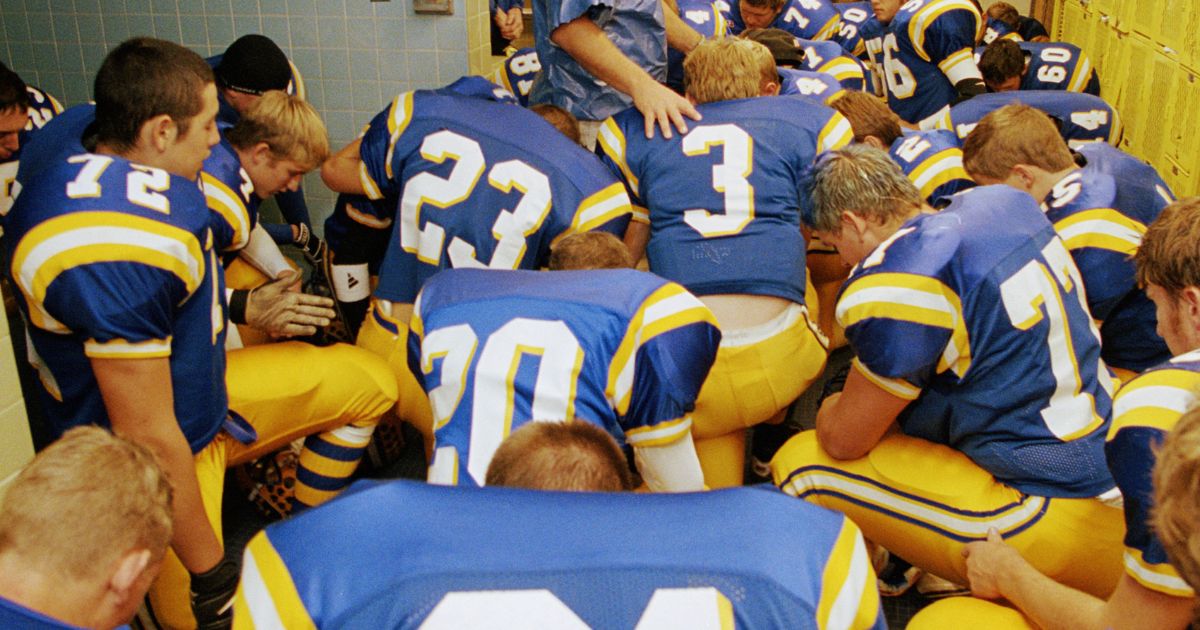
560,361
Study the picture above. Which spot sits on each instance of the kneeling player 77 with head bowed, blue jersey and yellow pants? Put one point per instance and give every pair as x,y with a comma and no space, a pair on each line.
977,399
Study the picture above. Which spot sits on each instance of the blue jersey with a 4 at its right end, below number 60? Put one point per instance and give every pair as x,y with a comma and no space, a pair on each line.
1082,118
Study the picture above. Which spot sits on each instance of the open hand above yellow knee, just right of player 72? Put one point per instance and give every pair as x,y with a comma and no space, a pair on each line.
280,313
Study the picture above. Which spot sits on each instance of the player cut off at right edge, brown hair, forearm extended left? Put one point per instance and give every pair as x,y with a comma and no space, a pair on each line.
1151,592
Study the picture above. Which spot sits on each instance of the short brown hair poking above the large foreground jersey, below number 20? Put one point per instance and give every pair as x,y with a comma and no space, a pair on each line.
572,457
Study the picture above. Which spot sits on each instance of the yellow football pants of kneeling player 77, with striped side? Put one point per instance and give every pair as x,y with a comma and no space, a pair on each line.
925,502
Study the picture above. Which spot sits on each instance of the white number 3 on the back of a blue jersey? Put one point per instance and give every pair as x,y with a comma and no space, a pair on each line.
729,178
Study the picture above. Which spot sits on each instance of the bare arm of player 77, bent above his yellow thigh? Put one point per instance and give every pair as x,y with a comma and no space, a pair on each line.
851,423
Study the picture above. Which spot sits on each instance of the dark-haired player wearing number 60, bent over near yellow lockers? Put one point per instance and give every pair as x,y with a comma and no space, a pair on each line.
1009,67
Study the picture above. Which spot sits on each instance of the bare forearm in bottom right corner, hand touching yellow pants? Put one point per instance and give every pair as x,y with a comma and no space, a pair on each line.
998,571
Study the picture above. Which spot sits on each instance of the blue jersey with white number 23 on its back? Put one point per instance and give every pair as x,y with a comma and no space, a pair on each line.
481,184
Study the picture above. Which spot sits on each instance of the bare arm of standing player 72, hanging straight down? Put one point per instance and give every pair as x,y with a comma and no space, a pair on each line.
140,401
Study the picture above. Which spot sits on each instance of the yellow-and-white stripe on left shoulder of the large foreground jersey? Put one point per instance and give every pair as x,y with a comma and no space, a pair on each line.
267,596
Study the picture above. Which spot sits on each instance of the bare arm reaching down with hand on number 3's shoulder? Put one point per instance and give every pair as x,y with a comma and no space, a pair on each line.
587,44
